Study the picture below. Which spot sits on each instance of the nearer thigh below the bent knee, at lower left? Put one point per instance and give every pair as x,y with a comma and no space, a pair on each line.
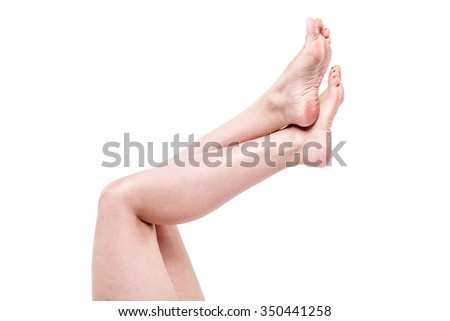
127,262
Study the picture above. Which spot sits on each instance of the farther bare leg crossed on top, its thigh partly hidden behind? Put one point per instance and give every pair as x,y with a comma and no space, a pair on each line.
292,99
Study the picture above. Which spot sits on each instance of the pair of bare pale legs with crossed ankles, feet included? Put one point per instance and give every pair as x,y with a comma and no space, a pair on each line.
138,251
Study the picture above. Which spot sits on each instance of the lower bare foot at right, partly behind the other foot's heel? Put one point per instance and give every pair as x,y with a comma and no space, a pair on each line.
314,138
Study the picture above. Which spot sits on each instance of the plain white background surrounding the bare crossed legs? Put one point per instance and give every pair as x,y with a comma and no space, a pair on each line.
371,239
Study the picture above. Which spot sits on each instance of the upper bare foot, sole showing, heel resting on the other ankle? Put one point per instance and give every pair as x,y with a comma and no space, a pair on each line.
298,86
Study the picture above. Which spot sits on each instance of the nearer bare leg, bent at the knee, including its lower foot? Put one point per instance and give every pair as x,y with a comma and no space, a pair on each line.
127,263
